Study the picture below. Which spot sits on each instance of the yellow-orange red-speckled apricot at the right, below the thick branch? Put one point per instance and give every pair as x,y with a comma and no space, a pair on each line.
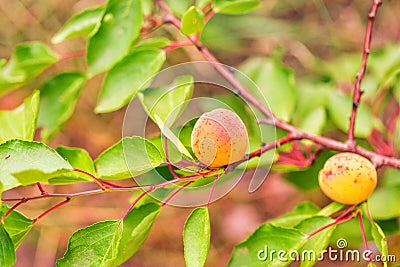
347,178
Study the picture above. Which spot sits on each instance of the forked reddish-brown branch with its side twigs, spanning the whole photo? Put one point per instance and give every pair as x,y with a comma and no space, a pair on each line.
293,132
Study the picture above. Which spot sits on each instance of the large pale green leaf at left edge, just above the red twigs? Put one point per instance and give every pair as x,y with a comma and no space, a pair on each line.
18,157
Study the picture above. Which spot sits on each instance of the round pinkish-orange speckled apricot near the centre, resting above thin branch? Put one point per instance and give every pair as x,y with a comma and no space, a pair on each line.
219,138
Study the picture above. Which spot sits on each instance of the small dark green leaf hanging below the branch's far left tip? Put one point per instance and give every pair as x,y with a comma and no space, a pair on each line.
16,225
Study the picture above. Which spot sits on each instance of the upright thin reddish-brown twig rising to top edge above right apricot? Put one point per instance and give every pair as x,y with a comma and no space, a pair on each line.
360,75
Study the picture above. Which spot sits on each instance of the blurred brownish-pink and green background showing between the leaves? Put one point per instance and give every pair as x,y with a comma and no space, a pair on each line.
309,34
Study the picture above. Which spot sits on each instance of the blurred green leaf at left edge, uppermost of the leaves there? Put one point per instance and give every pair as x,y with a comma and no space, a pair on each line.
26,61
